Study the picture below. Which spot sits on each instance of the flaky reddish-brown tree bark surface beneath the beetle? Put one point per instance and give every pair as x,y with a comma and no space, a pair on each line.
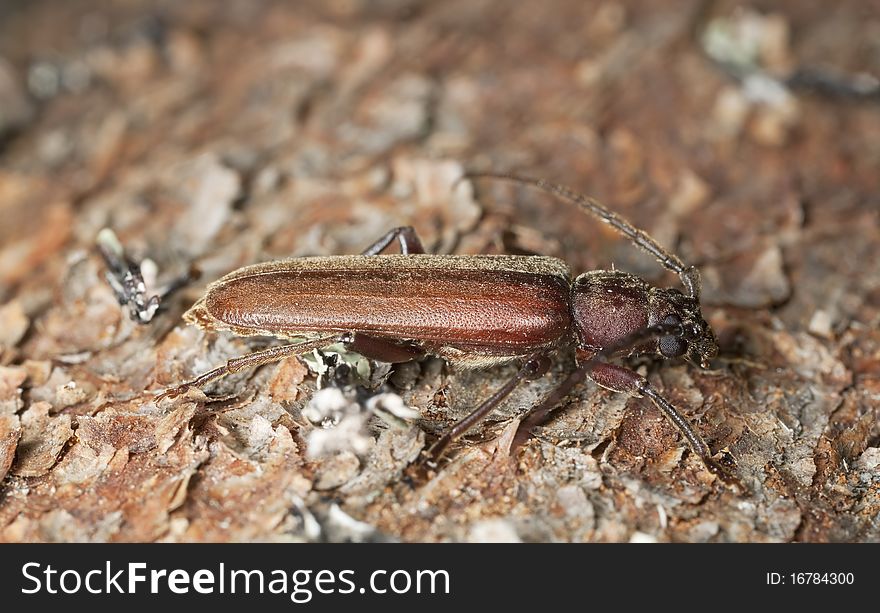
219,135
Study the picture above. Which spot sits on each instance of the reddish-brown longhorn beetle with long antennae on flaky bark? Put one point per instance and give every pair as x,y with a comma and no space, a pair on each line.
474,311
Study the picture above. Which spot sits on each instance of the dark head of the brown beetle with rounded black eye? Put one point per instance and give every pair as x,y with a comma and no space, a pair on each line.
692,337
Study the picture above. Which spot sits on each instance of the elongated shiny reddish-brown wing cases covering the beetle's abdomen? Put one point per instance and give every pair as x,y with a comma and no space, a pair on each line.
503,304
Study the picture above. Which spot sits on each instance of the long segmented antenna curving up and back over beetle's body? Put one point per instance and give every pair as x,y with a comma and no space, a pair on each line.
689,275
